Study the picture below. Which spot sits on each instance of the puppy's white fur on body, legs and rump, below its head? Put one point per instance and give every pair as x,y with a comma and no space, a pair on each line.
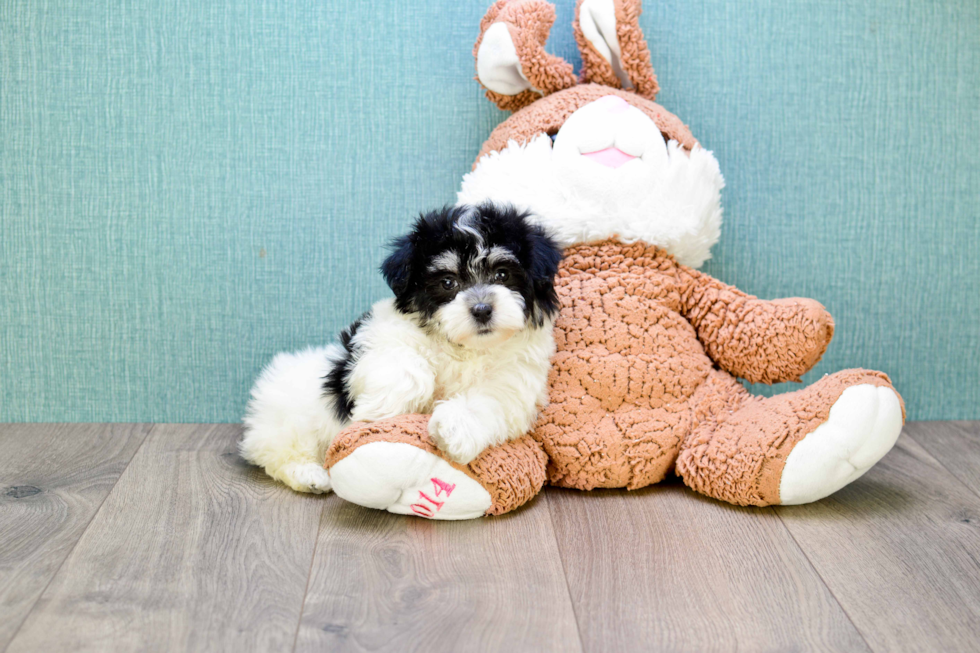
479,395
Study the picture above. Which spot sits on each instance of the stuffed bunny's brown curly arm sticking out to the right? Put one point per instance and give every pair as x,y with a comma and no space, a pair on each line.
762,341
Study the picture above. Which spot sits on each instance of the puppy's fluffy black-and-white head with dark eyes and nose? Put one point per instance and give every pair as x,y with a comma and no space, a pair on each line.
476,274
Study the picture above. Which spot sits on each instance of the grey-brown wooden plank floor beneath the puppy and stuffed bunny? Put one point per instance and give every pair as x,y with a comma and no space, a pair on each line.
158,537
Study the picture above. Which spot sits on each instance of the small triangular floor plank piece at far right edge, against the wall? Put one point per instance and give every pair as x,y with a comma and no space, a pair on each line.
956,445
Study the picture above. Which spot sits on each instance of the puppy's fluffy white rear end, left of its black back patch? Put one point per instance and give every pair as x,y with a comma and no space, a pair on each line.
290,422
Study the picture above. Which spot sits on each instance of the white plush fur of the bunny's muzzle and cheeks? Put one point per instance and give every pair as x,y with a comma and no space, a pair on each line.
665,197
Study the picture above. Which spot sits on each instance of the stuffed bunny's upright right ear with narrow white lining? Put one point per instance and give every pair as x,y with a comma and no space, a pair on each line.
614,52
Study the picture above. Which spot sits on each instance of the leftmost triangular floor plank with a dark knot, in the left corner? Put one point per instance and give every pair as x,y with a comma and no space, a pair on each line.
53,478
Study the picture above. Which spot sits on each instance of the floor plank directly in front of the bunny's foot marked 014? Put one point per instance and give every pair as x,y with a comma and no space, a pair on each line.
383,582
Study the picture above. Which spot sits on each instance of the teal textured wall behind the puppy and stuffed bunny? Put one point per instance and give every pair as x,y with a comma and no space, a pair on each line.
188,187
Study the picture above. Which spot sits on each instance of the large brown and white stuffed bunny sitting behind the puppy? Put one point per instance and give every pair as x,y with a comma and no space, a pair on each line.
649,350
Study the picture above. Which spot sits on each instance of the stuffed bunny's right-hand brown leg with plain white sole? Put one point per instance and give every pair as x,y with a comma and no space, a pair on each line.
793,448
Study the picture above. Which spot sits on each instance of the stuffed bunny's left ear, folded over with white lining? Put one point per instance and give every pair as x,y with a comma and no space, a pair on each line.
510,59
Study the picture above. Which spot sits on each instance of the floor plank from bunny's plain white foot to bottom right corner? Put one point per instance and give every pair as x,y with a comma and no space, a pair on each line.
899,548
